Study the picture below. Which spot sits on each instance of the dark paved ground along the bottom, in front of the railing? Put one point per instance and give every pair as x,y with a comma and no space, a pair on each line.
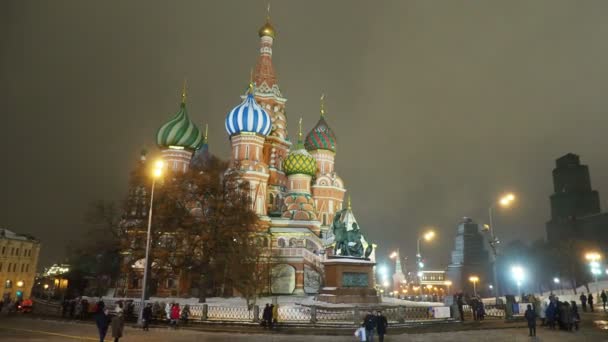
34,329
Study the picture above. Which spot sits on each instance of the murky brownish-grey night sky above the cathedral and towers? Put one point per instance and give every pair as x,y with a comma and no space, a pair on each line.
438,106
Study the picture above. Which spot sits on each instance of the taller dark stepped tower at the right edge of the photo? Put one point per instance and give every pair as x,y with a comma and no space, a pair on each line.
575,206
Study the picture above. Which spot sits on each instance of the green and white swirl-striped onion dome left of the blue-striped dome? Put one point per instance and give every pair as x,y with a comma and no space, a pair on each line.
179,131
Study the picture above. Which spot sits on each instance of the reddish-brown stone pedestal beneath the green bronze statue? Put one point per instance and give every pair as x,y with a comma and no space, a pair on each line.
349,280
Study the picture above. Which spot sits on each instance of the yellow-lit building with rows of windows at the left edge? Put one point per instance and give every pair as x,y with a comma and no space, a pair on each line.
18,262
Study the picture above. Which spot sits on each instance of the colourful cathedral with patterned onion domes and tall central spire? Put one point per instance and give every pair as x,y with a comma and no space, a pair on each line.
295,189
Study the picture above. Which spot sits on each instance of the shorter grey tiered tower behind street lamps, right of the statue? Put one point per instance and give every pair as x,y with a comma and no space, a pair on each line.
470,257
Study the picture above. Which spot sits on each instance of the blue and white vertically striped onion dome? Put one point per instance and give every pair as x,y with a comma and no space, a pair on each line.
249,117
